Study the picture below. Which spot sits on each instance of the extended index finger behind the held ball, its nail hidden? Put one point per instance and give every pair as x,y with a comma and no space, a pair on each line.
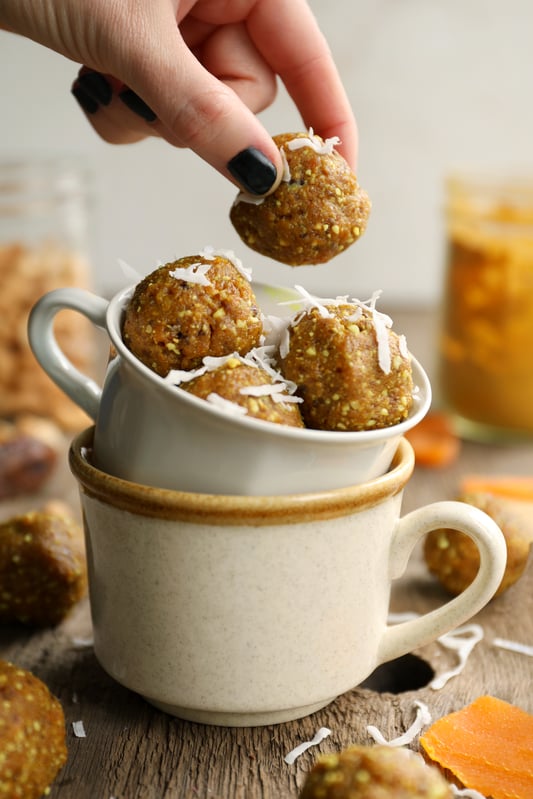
288,37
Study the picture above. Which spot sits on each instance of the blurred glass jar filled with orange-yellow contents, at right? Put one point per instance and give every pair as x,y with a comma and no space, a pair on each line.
486,343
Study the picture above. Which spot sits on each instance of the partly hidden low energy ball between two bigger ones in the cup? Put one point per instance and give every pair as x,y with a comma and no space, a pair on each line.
249,387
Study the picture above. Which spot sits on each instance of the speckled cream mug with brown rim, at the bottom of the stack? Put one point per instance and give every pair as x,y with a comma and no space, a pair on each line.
244,611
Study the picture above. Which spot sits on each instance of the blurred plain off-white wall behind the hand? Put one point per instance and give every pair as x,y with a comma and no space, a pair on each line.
434,83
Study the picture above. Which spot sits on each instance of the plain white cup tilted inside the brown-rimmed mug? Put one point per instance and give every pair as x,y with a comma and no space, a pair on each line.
151,432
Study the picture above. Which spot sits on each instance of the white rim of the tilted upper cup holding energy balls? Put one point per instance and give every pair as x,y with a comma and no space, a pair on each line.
421,398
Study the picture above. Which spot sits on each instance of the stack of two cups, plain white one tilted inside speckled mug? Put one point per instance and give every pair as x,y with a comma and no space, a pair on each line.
240,571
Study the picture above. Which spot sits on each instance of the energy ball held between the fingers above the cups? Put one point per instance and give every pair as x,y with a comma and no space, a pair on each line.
317,211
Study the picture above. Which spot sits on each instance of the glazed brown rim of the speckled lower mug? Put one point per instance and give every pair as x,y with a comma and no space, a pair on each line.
226,509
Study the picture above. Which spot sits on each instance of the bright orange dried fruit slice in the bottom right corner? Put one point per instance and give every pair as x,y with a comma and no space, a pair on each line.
485,746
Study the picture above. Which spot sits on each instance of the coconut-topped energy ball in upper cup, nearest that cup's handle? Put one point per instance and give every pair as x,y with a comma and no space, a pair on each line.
196,306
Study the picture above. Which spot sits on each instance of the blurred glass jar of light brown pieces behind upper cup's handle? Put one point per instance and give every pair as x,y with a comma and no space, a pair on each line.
44,213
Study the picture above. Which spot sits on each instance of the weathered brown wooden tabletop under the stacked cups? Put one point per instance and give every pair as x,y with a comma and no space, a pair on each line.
133,751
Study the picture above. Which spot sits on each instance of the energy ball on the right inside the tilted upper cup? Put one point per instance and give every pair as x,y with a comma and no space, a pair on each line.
352,372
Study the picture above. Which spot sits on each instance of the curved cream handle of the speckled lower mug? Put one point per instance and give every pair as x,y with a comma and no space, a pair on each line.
401,638
